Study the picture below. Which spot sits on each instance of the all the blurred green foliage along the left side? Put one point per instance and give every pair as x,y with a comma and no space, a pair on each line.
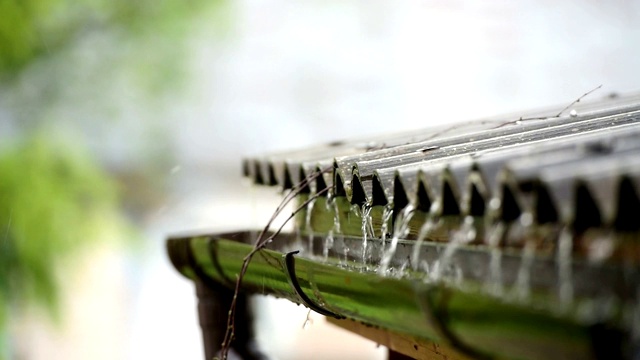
55,199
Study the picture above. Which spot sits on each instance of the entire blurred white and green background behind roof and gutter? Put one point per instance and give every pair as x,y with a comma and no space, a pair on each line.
122,122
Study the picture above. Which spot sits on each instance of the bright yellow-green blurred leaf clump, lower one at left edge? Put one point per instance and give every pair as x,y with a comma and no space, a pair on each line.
54,200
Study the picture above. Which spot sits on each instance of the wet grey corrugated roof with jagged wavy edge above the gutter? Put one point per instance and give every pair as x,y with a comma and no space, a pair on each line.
531,164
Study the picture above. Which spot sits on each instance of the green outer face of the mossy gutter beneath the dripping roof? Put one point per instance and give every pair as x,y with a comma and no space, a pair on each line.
485,325
